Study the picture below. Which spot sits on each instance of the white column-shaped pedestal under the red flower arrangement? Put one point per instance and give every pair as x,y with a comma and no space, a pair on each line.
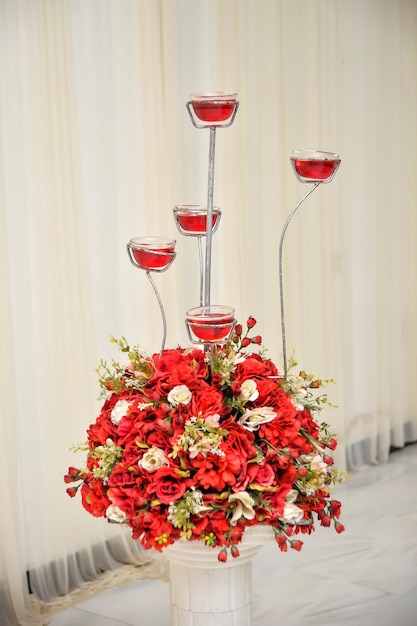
207,592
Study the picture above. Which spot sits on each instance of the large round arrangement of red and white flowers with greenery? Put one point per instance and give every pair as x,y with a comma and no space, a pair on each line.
201,445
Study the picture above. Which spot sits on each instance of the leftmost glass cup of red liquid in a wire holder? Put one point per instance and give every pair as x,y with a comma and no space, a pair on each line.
151,253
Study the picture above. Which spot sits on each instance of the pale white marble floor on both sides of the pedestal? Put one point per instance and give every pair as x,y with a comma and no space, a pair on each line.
366,576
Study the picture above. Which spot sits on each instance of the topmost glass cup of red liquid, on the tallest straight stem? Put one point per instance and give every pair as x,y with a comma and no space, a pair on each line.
215,109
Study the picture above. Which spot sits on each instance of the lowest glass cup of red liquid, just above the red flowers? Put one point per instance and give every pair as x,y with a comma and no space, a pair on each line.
212,323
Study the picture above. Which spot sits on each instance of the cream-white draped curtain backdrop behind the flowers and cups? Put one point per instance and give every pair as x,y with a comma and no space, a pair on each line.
96,147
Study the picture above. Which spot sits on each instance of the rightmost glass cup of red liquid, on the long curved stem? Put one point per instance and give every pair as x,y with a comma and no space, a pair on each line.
314,166
